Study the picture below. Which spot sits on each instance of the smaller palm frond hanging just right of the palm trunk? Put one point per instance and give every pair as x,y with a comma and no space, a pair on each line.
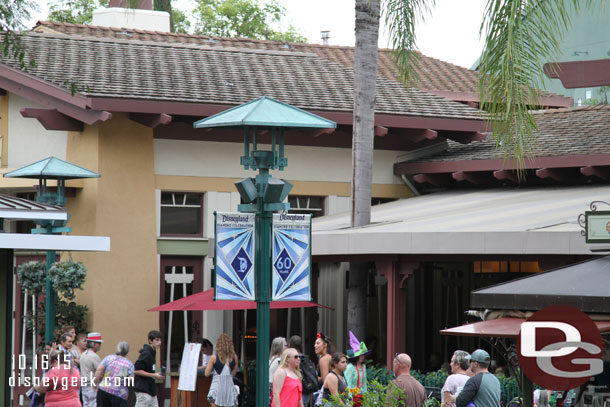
400,18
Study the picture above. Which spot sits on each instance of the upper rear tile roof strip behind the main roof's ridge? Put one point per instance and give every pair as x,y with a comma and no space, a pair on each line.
433,75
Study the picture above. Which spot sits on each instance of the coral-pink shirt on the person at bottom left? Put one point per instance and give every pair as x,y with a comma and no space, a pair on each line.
64,383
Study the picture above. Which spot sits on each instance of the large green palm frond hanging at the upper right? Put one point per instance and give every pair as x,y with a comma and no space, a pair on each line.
520,36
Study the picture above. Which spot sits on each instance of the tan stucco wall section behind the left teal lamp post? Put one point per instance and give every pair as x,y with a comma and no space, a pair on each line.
122,284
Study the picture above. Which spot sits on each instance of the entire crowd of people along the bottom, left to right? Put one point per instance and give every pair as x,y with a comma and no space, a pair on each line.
77,376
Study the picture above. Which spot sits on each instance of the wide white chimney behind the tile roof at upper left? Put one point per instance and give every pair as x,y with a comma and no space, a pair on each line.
143,17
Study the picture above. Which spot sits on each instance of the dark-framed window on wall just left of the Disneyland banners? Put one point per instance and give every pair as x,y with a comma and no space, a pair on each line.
181,214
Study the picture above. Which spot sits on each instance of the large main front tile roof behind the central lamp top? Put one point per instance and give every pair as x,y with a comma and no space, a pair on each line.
131,69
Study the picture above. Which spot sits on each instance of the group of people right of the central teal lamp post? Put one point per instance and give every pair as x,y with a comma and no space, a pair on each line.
343,377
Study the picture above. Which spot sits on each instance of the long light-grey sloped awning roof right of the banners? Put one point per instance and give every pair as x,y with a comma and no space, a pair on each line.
520,222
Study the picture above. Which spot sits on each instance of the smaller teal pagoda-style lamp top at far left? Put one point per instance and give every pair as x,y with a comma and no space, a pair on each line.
52,168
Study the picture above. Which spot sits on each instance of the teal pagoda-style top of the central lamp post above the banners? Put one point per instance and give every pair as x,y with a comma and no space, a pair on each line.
266,112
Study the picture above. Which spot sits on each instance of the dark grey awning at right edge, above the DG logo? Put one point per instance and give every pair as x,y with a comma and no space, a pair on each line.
583,286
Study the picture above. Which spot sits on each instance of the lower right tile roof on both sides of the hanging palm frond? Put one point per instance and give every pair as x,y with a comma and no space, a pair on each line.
561,132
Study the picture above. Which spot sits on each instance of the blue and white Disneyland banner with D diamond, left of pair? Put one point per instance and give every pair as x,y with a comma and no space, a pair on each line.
234,256
